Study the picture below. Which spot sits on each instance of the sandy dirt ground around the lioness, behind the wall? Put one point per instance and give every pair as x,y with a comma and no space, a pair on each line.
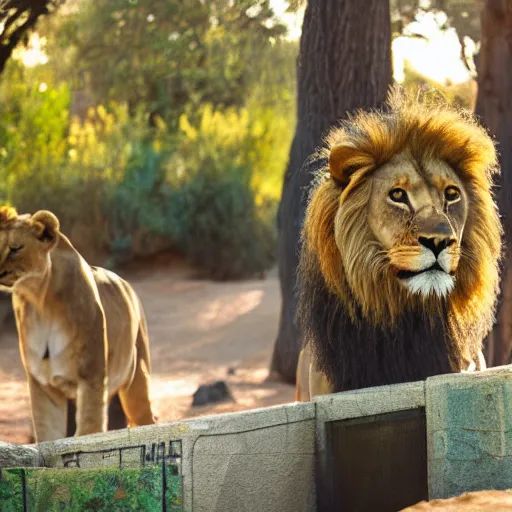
199,330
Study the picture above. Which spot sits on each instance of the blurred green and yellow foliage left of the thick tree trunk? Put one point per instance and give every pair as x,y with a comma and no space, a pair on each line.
185,139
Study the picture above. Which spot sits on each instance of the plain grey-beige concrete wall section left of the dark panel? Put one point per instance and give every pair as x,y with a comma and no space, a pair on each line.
255,461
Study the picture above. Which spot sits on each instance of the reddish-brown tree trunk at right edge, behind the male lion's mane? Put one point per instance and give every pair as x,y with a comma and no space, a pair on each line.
494,107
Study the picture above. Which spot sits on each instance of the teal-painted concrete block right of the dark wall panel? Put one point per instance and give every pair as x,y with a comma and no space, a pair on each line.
469,432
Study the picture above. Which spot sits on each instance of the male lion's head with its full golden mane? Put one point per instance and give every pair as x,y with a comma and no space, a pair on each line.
404,213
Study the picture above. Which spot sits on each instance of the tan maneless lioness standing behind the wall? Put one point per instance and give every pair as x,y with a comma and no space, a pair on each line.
82,330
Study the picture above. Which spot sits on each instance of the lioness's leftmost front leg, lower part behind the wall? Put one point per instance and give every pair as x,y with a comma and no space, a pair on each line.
49,409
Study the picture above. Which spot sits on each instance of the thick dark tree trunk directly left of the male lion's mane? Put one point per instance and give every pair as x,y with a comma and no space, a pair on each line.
344,64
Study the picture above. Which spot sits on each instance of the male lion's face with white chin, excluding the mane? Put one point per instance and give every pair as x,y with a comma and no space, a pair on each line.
417,212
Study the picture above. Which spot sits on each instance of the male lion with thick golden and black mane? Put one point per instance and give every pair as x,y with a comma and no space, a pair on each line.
400,249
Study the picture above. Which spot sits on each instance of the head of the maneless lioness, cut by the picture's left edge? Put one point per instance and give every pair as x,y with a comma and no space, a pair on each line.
25,244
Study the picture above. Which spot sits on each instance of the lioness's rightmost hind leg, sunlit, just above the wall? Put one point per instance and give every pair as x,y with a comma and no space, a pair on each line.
135,399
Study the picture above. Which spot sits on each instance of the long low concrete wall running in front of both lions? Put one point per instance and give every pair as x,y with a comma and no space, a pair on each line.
262,460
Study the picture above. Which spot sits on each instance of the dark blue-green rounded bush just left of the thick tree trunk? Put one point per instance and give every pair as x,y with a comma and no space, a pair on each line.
217,225
